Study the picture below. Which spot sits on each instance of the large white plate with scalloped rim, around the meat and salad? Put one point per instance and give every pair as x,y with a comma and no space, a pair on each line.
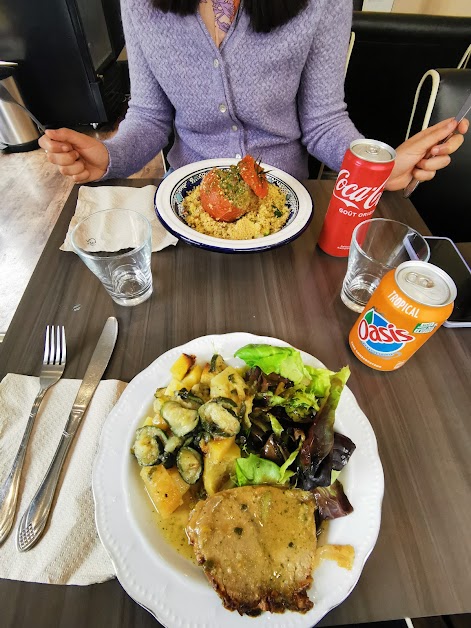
174,590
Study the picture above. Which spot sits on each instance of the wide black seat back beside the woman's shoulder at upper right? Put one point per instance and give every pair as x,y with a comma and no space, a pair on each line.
392,52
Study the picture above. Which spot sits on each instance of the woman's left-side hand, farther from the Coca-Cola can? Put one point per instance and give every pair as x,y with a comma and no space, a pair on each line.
78,156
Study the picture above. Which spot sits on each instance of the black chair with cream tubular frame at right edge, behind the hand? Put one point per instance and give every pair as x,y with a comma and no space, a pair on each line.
444,202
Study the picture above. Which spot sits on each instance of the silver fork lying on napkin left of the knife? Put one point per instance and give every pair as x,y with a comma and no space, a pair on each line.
51,371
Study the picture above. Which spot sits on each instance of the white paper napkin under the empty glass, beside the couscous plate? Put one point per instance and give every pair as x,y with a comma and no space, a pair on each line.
91,200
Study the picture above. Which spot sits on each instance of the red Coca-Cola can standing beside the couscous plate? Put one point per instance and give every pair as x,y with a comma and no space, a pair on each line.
363,175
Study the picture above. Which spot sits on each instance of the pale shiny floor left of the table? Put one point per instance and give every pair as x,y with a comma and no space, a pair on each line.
32,194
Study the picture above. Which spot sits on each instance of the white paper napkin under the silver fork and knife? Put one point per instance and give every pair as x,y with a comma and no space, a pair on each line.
70,551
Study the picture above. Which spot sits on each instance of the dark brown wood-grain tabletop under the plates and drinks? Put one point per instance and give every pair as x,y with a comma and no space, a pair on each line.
421,564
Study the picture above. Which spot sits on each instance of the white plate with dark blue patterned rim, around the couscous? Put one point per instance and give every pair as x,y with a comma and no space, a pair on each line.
173,189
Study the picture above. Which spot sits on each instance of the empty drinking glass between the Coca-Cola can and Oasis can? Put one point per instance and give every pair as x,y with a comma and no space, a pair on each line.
377,246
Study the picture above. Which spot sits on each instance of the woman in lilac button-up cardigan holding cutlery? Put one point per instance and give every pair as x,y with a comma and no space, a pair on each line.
265,78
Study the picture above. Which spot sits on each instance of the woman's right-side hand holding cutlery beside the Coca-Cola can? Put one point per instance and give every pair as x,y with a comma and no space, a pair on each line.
410,156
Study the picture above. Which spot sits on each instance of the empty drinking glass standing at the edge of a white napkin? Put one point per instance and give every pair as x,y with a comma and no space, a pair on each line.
116,246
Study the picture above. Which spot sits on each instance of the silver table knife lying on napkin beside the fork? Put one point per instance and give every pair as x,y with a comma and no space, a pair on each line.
34,520
